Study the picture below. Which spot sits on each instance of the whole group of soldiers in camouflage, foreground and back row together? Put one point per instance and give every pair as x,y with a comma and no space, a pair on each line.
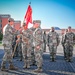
30,43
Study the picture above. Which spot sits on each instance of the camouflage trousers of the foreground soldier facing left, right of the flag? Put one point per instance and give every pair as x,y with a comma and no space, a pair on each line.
38,57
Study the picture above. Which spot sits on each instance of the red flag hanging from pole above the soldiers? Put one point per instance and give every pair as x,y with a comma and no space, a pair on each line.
28,16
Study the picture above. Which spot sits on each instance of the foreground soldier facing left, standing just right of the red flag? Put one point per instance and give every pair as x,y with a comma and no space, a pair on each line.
38,45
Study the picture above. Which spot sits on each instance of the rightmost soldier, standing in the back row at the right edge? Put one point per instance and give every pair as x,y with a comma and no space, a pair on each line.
68,43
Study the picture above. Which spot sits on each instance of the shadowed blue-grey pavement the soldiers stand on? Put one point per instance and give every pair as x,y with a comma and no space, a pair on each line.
60,67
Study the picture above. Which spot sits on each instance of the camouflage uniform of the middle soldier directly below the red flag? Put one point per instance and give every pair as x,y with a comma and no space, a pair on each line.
26,48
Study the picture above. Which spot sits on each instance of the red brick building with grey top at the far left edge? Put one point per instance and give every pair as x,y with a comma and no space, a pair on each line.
3,20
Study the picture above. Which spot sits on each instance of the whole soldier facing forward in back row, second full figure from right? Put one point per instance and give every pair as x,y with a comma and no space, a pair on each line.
53,42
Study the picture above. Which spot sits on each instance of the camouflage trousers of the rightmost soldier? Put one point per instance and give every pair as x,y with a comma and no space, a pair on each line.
69,51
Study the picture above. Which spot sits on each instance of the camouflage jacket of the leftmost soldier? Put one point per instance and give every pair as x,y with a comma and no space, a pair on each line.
7,34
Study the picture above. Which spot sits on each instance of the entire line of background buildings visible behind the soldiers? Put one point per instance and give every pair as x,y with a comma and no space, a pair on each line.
17,24
